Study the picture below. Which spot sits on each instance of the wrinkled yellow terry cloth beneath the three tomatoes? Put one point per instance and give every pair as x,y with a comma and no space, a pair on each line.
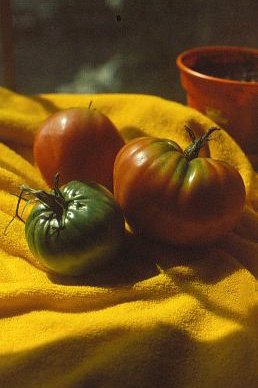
160,317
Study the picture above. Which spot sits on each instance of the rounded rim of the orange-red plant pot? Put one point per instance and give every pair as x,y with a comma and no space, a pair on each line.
202,49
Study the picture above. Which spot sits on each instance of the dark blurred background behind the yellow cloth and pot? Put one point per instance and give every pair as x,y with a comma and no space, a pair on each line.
122,46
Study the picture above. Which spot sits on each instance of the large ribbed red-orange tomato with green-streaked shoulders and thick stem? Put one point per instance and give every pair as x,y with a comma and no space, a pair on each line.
175,196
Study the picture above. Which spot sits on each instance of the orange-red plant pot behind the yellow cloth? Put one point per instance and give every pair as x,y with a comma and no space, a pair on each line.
222,83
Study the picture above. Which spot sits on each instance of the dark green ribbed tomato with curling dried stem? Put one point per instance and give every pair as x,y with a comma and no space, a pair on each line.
75,229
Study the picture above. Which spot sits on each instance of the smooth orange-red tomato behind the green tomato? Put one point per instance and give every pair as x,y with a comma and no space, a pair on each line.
80,143
